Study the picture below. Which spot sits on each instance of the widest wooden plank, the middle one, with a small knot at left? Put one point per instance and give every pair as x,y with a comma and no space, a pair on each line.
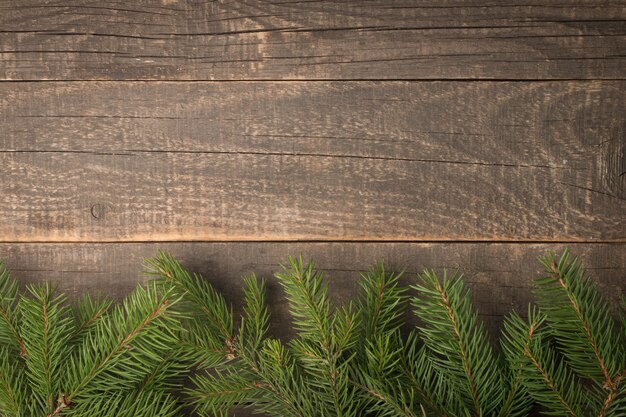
312,161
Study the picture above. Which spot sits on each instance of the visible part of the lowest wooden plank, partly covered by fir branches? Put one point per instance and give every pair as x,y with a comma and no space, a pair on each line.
500,275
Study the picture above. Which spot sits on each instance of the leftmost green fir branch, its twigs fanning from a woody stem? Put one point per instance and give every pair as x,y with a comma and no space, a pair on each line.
87,362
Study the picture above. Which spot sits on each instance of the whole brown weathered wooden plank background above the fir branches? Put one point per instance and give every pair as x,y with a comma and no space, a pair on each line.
435,133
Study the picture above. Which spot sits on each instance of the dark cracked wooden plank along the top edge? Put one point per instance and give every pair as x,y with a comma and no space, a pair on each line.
375,39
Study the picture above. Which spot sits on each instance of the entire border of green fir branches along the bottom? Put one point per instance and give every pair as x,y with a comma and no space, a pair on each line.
564,356
